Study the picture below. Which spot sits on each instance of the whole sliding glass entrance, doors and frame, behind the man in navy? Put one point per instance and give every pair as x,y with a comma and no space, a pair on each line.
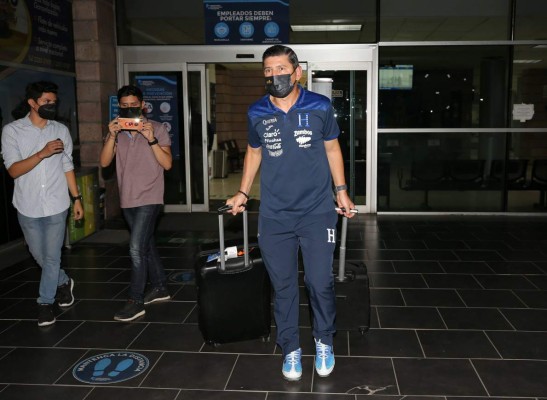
208,93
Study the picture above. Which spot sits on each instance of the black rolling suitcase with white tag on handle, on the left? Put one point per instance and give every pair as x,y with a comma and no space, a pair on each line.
233,294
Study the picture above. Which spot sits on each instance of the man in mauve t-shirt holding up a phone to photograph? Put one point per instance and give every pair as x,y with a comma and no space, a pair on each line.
142,148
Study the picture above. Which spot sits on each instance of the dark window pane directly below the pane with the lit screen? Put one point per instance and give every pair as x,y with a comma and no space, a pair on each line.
441,171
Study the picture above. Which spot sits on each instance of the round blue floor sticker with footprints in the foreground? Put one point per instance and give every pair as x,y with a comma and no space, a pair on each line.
108,368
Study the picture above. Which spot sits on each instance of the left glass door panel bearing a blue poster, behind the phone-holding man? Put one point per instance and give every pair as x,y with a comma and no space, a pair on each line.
164,87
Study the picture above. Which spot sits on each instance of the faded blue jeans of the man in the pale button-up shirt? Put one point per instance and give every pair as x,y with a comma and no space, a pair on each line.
45,237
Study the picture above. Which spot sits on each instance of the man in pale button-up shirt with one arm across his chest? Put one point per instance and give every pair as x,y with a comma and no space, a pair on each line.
37,153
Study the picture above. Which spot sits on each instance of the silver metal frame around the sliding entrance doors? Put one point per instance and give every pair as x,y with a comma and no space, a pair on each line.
182,58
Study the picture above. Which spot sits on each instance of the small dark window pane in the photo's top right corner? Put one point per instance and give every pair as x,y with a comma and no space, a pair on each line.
531,20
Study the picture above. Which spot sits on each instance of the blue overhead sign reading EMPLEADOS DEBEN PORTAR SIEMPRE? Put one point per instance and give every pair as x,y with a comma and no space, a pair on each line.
246,21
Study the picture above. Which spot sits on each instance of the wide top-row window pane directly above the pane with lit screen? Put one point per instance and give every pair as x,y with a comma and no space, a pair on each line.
434,20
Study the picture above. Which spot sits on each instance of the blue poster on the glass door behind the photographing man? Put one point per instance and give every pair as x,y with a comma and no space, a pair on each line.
161,99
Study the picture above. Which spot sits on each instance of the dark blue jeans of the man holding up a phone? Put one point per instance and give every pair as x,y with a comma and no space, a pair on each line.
145,260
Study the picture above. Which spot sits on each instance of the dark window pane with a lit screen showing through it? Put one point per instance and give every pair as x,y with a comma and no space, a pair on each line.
443,87
